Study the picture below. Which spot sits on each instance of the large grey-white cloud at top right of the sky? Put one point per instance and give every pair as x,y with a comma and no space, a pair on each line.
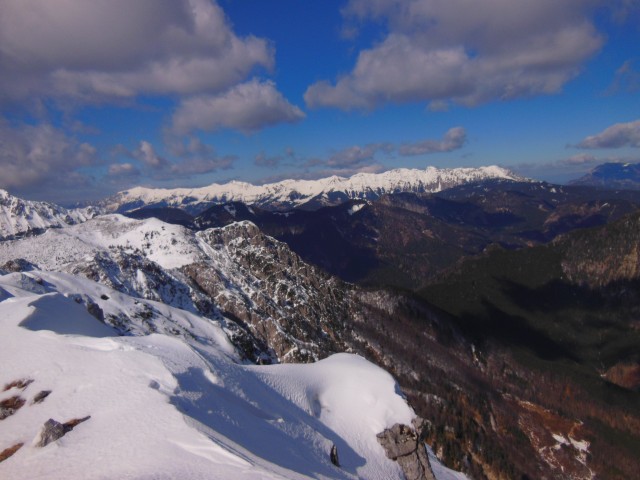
465,51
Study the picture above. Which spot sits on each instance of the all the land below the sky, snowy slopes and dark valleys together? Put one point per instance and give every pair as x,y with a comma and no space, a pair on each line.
489,326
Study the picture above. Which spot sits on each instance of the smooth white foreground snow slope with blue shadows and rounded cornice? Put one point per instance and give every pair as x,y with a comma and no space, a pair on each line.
175,405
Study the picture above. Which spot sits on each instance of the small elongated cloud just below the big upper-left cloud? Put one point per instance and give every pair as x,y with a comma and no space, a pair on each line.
246,107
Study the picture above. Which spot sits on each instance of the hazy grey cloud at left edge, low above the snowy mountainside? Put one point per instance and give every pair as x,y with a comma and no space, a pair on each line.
41,156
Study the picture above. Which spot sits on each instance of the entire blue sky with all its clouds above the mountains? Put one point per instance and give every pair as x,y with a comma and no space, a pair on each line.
100,96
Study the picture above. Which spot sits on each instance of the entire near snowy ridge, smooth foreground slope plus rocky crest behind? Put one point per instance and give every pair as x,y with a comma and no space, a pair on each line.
136,375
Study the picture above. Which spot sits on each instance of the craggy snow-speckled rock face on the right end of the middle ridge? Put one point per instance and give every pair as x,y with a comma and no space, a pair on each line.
299,311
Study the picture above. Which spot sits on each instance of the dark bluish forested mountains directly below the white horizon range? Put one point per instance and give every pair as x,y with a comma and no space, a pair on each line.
406,239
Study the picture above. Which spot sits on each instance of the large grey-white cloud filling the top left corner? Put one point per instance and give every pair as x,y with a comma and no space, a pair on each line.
119,48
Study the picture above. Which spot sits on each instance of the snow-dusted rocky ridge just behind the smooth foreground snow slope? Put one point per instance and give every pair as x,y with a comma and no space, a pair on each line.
225,274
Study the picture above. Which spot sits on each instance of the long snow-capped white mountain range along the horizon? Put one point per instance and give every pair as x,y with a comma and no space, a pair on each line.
306,194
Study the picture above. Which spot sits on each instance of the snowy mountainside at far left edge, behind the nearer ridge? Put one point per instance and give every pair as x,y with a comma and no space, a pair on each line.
23,217
